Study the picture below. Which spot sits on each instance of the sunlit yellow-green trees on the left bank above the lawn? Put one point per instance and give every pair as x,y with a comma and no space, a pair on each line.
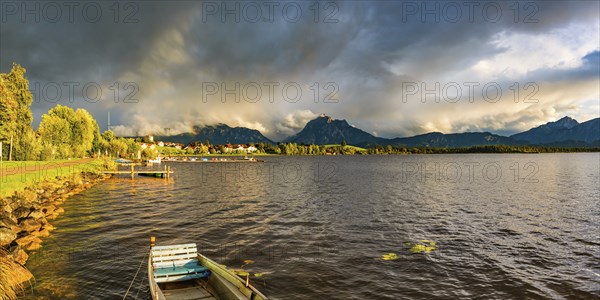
63,132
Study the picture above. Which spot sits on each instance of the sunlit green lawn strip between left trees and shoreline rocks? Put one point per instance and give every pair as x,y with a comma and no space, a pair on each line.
16,175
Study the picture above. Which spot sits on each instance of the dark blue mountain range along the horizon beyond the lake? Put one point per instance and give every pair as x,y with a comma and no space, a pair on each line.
323,130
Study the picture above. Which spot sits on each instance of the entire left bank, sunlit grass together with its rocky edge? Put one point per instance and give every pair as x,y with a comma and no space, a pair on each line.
31,194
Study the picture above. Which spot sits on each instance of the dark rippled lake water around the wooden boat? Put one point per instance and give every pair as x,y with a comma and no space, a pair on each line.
506,226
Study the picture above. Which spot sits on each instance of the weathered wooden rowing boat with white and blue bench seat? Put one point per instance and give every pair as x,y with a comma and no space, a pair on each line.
180,272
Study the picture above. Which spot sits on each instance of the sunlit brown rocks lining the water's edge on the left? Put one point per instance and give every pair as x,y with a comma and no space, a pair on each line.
25,218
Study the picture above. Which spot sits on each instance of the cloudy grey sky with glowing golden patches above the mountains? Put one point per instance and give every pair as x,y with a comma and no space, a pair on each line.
378,64
